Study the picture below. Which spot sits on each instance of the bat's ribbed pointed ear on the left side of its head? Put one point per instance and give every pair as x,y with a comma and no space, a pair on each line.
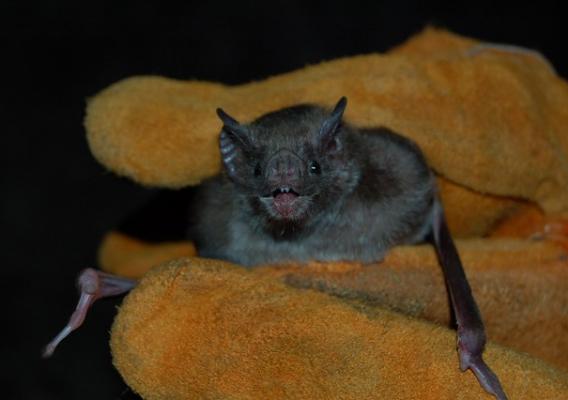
233,141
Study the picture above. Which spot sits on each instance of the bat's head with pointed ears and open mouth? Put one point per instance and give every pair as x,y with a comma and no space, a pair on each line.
291,165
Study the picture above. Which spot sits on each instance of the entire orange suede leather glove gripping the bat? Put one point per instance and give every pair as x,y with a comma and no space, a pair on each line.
492,124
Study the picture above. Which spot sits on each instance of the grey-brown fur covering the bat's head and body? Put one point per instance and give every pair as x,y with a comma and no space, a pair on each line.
374,191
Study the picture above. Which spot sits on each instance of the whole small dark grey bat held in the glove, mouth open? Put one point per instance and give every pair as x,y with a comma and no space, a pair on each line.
301,184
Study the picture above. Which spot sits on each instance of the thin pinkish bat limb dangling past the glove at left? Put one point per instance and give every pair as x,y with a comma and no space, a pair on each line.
93,285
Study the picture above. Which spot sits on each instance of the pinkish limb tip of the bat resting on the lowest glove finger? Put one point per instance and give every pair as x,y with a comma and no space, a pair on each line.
470,348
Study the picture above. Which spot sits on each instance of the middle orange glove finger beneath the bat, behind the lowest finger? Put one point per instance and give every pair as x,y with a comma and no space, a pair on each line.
520,286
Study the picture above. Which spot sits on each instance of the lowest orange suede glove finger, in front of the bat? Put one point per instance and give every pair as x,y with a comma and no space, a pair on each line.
198,329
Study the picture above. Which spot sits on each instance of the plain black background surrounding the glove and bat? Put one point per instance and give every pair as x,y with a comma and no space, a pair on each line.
57,202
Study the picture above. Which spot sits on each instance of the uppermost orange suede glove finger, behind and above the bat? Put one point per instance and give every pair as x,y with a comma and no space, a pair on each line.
492,121
